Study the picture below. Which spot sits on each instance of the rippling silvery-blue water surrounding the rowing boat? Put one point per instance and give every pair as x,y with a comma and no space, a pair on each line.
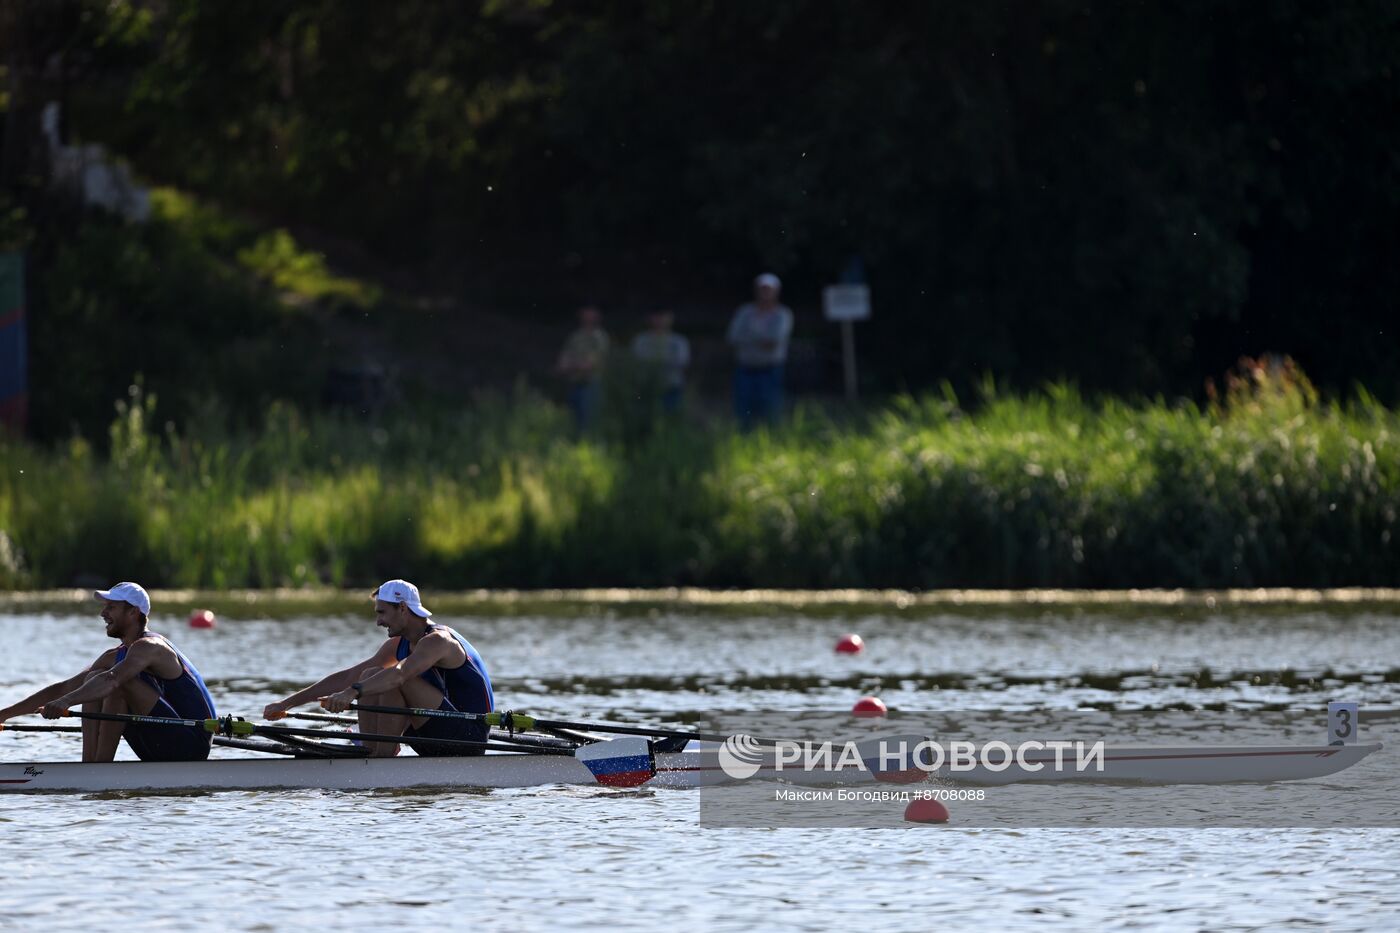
596,858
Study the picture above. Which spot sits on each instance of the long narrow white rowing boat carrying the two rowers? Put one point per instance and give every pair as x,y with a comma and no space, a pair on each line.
696,767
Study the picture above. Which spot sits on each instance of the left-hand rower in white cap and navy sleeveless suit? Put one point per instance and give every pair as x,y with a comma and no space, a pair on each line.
143,676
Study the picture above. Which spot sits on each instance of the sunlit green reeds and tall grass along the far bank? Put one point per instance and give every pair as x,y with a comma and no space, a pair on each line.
1265,487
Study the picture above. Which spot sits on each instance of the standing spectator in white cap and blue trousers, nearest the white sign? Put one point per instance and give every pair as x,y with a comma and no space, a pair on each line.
759,334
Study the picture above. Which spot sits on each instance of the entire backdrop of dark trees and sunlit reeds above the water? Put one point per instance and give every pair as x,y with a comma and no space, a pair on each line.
1116,201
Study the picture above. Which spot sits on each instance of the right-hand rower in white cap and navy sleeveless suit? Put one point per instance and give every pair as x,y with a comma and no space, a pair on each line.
423,665
